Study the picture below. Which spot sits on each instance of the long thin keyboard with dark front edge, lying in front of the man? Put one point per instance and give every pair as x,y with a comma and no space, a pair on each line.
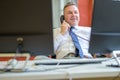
70,61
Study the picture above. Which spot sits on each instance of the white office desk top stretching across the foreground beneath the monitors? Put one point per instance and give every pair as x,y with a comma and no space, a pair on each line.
72,72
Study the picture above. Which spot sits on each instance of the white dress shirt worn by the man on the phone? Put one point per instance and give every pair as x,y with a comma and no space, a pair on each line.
63,44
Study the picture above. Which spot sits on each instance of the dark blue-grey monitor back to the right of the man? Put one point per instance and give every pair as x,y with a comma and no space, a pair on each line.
105,34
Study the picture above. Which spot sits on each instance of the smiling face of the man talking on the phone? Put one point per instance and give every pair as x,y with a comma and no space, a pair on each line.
71,15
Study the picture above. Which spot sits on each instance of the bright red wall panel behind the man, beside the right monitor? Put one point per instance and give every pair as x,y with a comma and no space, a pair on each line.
85,7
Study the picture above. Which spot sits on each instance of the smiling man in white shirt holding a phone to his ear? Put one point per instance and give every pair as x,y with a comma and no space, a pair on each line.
63,43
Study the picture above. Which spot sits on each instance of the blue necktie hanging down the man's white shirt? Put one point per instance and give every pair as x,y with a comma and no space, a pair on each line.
76,43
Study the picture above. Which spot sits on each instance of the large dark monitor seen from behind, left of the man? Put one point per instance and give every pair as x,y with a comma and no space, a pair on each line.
26,27
